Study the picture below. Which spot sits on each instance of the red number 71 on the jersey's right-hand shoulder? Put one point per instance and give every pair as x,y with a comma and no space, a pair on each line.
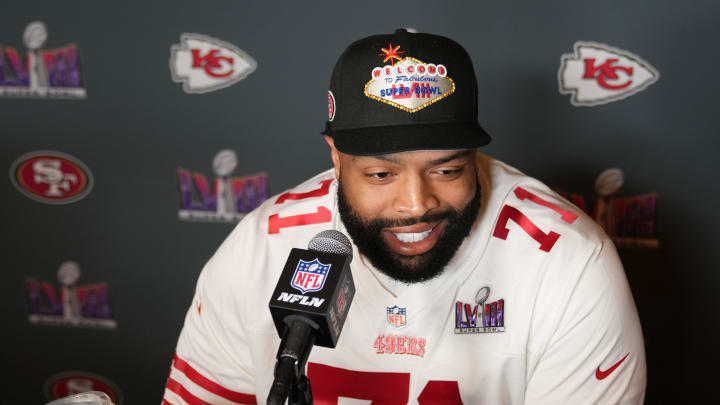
546,240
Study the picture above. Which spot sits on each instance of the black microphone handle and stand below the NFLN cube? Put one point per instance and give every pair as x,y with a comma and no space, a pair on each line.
290,380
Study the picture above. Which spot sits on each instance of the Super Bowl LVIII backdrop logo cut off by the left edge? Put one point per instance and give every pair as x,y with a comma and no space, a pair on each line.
40,73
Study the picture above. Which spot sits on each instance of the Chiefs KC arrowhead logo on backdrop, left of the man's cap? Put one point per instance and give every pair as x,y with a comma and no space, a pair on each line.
206,64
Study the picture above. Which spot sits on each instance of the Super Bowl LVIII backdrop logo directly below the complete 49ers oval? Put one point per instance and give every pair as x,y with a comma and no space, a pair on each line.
73,305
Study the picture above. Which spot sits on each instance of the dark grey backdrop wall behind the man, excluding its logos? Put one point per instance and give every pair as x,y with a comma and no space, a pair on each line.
136,127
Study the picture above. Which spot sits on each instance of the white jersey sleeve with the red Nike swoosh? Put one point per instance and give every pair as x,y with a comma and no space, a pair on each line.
594,354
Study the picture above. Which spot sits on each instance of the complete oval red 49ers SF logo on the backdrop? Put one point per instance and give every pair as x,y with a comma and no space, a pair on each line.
51,177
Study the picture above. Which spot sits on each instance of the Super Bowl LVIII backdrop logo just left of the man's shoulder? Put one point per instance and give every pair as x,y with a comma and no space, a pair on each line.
231,197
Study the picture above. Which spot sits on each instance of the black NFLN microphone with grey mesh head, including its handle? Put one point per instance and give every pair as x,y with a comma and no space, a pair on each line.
309,307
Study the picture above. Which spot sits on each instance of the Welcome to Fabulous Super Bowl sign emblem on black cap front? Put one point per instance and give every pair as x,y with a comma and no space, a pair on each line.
408,84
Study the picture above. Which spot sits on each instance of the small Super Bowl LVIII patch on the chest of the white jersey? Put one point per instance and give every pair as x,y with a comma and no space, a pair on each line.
483,317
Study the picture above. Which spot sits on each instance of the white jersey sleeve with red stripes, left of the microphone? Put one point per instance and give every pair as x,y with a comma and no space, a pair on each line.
212,362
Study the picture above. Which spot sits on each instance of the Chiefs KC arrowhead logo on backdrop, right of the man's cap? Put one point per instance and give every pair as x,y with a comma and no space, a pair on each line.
597,74
